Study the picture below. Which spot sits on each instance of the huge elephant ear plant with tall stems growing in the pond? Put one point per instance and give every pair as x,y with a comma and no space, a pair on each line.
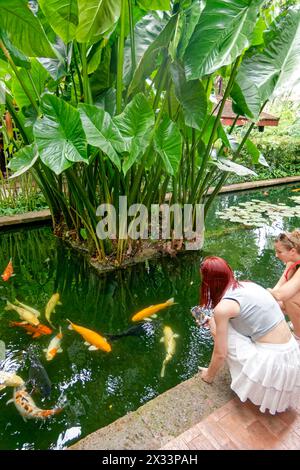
119,99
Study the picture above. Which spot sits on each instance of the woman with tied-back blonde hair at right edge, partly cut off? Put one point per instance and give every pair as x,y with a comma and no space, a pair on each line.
287,289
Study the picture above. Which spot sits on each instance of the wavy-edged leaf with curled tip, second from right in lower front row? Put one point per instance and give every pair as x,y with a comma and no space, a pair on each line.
135,124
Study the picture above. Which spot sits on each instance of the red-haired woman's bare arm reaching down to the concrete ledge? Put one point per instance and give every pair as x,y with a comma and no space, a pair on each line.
224,310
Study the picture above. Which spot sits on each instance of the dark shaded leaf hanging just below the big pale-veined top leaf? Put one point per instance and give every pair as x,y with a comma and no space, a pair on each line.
191,95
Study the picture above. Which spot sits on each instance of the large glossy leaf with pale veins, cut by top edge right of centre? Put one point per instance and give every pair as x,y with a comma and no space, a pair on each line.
221,35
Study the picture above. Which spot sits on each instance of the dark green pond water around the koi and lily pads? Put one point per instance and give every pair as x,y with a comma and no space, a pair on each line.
95,387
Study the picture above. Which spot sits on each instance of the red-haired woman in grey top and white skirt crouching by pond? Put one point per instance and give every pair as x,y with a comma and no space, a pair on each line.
251,333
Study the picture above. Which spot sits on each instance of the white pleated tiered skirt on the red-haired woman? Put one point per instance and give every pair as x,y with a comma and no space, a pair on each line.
266,374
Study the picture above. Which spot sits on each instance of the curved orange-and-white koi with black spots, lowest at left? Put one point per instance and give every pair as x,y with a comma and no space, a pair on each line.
27,408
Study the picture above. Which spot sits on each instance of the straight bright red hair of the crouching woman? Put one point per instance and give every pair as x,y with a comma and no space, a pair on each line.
217,277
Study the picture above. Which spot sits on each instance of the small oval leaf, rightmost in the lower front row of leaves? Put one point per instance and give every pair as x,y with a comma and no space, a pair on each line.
168,143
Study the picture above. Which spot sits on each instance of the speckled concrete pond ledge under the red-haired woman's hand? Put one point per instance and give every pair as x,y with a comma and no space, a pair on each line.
157,422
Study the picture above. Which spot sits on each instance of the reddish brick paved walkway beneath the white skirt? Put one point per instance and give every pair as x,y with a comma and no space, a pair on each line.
241,426
